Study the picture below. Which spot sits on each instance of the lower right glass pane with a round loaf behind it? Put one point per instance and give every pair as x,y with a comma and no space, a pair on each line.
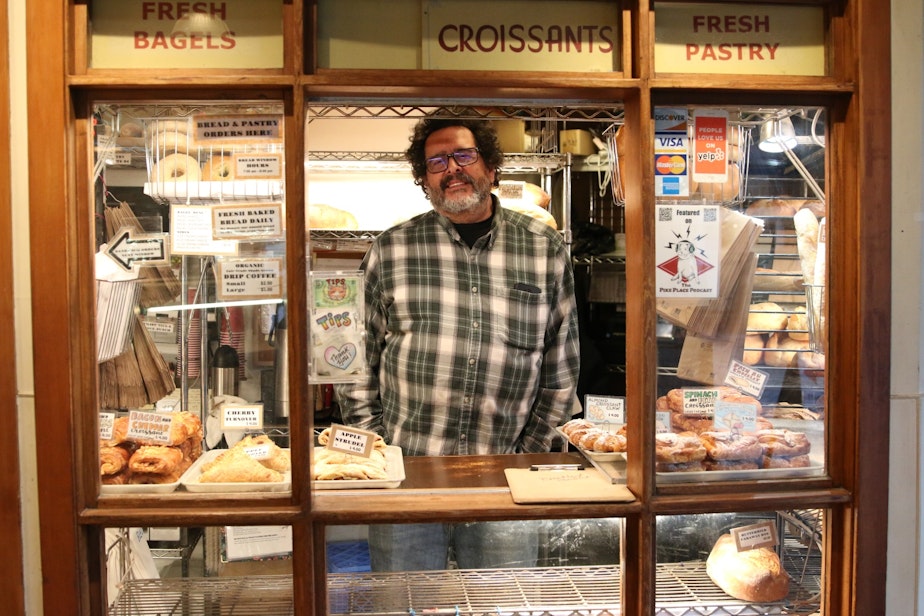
776,570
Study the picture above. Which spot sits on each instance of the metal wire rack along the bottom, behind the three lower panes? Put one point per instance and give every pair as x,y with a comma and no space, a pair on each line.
684,589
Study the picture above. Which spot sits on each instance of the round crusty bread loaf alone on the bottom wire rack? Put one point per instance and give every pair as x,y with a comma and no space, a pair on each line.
755,575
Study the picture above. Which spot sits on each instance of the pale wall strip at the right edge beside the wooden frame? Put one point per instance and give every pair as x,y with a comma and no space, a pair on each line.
904,538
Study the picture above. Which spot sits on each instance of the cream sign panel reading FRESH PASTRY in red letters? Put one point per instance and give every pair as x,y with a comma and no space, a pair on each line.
739,39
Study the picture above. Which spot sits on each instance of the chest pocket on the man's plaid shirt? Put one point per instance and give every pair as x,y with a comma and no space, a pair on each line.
520,315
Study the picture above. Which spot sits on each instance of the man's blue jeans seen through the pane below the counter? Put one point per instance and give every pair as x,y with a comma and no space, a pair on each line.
474,545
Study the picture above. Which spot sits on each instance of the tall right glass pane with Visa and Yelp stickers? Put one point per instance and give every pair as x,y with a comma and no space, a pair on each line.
740,254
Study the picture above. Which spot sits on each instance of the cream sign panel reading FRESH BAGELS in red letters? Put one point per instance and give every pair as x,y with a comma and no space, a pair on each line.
141,34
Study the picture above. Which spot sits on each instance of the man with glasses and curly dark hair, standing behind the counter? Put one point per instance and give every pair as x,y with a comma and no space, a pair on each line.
471,340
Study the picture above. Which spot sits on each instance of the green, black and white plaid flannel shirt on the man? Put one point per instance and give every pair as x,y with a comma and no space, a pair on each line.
470,351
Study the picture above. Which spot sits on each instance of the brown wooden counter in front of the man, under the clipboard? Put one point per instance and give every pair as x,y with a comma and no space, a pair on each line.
457,488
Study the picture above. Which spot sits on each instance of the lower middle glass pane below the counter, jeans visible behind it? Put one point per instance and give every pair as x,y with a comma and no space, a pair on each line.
574,564
